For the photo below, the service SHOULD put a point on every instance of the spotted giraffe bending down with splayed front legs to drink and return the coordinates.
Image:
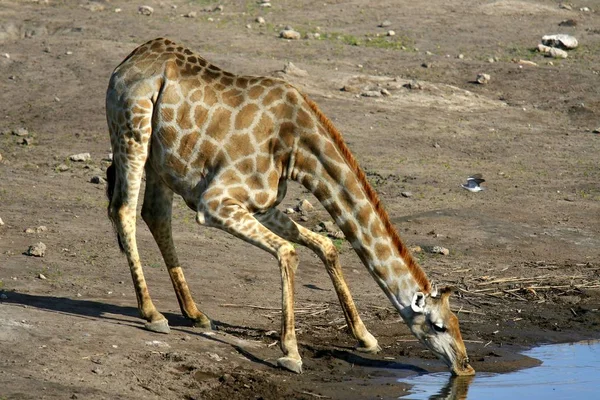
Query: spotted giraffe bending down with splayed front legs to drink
(227, 145)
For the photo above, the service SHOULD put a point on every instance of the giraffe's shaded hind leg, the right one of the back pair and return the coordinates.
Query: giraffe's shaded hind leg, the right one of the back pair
(156, 212)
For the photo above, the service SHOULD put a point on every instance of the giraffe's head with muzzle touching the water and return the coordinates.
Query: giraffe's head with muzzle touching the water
(436, 326)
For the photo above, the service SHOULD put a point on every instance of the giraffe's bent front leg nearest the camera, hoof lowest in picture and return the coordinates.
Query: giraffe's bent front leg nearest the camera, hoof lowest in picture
(232, 217)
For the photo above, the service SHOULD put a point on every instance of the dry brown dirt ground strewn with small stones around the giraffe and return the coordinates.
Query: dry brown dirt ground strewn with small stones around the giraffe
(524, 253)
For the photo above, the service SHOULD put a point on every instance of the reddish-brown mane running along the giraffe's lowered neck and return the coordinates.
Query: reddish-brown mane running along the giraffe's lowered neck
(416, 271)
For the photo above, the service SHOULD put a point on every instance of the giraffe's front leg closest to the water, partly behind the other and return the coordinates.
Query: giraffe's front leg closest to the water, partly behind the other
(281, 224)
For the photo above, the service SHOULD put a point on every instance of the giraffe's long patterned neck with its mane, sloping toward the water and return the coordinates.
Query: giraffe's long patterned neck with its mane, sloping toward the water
(329, 170)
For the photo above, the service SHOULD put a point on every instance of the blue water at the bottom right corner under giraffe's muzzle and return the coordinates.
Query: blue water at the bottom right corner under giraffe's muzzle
(568, 371)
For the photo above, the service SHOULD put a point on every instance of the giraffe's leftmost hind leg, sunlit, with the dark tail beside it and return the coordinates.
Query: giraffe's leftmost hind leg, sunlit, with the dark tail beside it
(130, 153)
